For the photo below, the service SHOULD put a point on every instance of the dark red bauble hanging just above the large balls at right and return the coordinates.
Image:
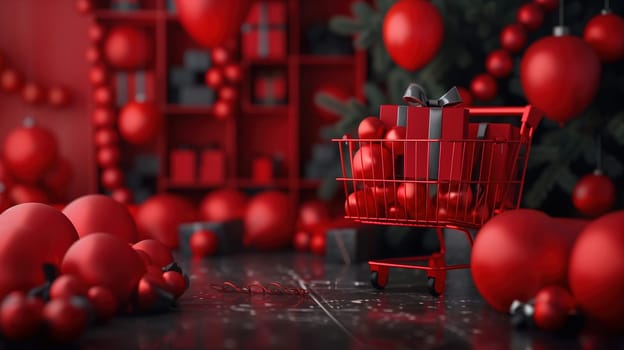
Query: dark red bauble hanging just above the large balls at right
(594, 195)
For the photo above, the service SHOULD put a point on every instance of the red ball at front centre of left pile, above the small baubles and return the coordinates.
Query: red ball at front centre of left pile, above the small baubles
(102, 259)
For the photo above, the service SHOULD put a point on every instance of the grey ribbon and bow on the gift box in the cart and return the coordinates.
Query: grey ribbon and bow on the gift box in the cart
(415, 96)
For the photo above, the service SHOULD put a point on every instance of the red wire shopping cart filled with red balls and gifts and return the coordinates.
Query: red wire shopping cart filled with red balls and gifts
(492, 165)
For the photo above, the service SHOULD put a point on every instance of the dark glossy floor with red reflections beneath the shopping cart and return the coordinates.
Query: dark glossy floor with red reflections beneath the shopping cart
(342, 311)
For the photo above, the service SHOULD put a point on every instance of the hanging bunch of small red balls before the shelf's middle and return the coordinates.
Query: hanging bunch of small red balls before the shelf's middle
(224, 77)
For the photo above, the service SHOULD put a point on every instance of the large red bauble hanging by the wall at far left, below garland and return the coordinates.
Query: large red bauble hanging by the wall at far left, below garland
(29, 151)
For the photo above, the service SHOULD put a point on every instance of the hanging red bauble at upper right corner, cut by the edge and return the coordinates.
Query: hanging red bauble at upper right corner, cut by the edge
(605, 33)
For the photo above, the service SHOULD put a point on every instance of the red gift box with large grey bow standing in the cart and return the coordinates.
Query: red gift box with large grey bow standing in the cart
(438, 127)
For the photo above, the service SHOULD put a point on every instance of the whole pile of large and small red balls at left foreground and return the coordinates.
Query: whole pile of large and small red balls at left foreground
(103, 269)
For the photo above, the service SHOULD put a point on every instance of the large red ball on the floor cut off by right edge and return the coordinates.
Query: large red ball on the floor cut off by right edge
(597, 267)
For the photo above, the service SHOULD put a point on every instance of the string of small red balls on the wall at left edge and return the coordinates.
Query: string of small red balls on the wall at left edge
(11, 81)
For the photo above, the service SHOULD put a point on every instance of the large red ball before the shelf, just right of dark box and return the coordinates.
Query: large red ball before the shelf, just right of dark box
(269, 221)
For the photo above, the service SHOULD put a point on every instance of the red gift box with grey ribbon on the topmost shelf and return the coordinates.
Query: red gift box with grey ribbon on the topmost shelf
(264, 31)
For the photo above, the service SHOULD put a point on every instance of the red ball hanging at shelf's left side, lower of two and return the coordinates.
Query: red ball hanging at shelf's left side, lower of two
(139, 122)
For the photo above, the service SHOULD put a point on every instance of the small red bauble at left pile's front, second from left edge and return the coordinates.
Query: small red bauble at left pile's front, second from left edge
(65, 320)
